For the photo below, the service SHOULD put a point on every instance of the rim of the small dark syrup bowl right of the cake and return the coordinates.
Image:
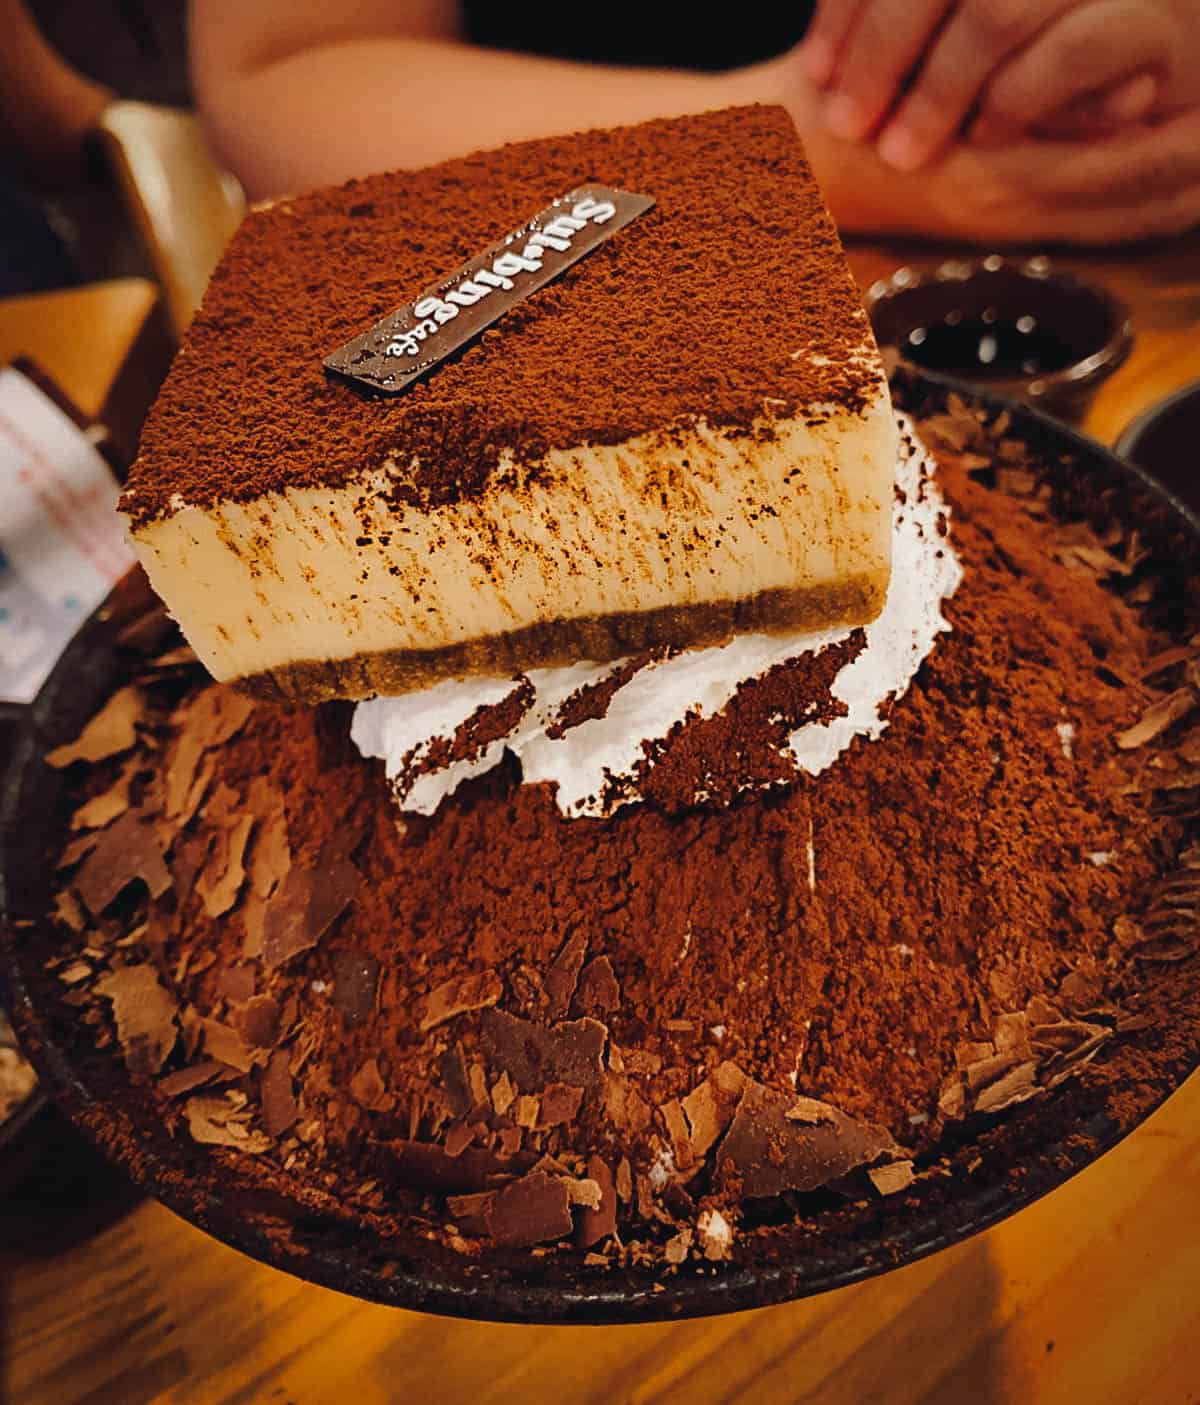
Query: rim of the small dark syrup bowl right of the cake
(1077, 377)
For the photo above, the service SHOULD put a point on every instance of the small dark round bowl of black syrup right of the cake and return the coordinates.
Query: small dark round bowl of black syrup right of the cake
(1014, 327)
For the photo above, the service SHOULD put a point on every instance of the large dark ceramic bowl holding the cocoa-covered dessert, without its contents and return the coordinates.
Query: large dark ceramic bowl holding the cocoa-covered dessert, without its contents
(814, 1244)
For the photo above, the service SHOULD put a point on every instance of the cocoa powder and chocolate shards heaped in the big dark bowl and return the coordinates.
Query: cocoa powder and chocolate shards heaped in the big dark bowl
(949, 922)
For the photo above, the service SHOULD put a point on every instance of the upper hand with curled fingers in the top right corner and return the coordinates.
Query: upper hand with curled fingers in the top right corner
(917, 74)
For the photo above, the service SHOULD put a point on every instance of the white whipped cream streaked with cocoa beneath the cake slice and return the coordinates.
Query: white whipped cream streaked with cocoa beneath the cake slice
(436, 740)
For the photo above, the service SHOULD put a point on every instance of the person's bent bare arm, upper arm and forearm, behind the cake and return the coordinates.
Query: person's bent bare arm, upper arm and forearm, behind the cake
(297, 98)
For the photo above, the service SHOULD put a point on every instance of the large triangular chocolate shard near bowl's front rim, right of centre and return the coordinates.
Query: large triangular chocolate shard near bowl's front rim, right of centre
(771, 1154)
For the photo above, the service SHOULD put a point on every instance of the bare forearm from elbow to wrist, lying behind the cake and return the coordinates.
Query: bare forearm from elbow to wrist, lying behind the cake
(383, 102)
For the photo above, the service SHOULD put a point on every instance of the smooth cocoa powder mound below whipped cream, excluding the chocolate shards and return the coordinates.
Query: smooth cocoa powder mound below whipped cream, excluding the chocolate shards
(953, 849)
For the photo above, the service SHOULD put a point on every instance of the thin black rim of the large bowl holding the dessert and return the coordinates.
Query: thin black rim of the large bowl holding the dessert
(901, 1236)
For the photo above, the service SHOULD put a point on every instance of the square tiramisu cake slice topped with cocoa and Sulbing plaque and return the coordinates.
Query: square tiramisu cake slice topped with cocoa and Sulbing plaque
(684, 435)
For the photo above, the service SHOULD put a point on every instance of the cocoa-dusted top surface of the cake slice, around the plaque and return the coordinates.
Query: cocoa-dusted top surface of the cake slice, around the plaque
(730, 290)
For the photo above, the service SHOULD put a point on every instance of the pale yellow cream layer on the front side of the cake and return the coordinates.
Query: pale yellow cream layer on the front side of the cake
(703, 516)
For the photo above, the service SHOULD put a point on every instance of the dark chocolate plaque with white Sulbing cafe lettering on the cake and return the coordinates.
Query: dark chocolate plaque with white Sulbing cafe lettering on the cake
(414, 339)
